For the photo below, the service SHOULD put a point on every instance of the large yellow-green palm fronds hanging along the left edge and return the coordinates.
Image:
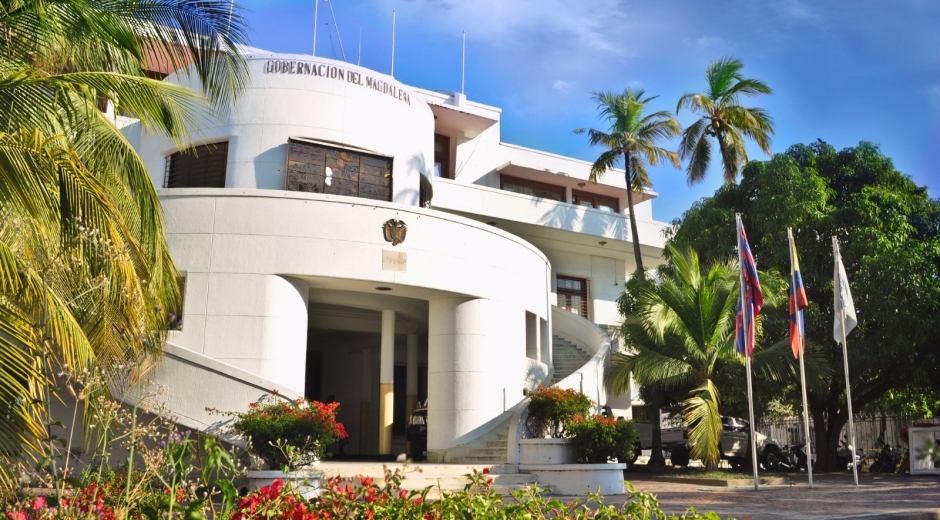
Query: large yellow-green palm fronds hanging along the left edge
(86, 278)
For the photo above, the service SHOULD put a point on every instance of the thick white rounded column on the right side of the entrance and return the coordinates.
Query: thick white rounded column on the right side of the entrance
(476, 359)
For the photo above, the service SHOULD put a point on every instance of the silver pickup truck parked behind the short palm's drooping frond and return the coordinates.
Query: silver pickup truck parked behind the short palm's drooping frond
(735, 444)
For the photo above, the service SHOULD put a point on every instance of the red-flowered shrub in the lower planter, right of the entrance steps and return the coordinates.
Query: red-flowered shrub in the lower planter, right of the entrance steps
(595, 439)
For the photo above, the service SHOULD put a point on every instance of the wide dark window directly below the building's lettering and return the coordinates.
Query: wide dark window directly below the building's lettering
(318, 168)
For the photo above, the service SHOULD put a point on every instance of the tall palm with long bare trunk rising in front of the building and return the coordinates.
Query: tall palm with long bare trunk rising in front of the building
(632, 140)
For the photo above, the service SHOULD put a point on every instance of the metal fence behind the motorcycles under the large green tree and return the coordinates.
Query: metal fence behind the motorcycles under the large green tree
(870, 432)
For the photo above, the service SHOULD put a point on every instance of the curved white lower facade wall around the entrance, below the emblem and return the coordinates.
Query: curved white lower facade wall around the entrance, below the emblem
(253, 258)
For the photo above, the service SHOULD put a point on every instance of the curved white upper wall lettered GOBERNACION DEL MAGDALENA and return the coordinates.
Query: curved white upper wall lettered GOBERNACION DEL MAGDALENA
(314, 98)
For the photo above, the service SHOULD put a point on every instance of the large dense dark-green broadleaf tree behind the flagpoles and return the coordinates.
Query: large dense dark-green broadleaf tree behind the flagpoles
(889, 231)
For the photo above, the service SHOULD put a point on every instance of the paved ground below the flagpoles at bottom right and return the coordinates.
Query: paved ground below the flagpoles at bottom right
(833, 497)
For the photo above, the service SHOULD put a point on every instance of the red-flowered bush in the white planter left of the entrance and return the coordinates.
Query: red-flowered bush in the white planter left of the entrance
(290, 434)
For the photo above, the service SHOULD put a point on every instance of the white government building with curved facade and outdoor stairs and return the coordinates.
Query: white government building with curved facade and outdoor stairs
(288, 225)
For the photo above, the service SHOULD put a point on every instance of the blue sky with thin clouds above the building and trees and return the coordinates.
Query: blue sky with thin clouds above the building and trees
(842, 71)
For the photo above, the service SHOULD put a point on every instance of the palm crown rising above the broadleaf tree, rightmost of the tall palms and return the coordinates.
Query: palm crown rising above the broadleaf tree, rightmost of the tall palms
(725, 120)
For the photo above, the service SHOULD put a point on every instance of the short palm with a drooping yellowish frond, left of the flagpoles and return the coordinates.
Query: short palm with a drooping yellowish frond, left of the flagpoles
(680, 334)
